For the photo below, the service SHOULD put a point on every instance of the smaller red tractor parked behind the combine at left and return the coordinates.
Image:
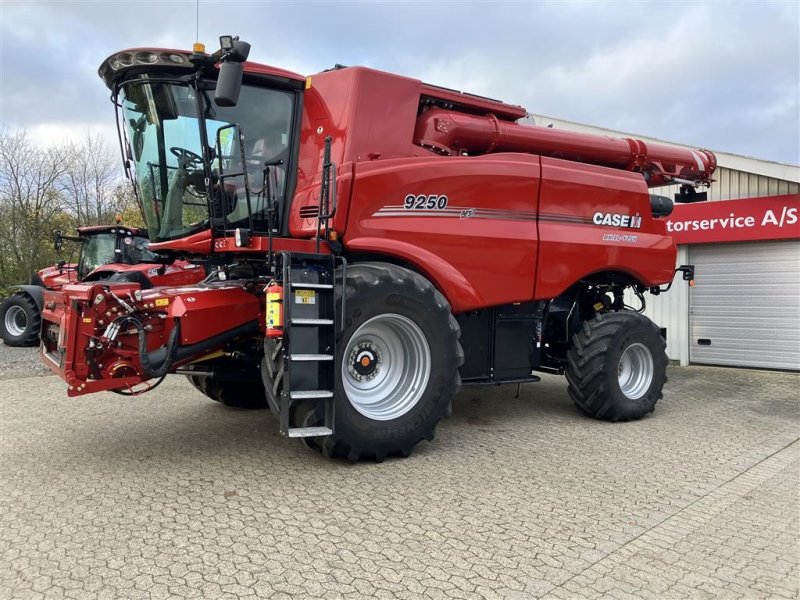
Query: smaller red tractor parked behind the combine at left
(107, 252)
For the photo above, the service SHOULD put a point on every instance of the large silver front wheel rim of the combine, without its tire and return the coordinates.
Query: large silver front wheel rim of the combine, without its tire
(386, 367)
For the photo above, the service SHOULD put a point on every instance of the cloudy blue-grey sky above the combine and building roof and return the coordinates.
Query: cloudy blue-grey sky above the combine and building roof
(720, 75)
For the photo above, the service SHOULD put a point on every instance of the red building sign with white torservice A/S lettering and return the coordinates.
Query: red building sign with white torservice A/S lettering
(748, 219)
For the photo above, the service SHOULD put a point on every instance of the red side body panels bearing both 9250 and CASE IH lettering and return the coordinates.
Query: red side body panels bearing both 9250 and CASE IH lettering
(511, 231)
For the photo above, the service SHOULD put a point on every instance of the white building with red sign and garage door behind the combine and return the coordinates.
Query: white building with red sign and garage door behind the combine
(745, 244)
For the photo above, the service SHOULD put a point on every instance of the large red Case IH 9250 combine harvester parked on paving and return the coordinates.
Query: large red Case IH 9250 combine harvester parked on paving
(377, 242)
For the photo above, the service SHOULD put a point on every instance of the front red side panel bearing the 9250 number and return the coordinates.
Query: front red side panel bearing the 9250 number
(480, 249)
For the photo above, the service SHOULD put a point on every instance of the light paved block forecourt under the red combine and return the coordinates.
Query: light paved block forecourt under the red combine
(171, 495)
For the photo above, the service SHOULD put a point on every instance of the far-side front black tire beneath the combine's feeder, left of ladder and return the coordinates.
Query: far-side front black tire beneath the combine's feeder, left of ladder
(239, 389)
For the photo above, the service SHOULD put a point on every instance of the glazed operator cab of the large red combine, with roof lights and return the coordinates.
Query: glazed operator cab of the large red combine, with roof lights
(203, 158)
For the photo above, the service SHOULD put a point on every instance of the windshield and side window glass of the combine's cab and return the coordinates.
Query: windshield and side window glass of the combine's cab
(164, 132)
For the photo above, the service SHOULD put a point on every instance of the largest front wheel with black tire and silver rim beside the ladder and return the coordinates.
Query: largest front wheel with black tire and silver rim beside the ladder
(401, 318)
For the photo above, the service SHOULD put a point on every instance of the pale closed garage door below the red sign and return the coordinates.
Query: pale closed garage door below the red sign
(745, 308)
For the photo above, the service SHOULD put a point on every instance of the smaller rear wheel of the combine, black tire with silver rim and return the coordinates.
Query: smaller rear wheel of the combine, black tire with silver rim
(617, 366)
